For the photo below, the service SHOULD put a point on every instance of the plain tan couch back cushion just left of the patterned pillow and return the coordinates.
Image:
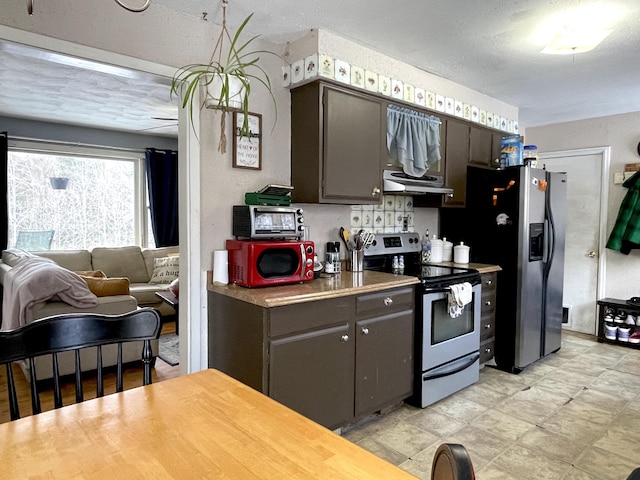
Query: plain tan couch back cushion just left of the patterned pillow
(120, 262)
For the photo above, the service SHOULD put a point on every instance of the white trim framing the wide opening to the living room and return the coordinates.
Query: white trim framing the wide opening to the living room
(193, 298)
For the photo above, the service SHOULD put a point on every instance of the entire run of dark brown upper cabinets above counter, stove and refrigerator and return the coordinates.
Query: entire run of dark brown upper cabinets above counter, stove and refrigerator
(338, 147)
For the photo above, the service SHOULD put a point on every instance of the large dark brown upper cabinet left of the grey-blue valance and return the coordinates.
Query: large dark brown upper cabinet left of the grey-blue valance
(336, 145)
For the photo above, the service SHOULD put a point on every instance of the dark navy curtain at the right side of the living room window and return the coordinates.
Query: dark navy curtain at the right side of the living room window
(162, 183)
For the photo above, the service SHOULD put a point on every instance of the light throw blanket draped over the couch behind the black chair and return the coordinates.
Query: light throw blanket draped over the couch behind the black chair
(38, 279)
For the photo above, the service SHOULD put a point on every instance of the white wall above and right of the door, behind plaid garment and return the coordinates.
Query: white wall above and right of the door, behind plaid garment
(622, 133)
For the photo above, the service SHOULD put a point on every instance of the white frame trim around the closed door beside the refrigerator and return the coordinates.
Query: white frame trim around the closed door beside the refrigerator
(605, 155)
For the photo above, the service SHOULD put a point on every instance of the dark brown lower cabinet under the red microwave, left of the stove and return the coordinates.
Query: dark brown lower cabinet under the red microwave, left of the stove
(332, 360)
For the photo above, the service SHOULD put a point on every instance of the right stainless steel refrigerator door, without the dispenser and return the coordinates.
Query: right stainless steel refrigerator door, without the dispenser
(556, 222)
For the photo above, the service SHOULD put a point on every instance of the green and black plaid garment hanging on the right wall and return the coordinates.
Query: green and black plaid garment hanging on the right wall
(626, 231)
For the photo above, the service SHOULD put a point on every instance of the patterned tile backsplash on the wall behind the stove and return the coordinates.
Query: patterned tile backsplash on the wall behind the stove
(394, 214)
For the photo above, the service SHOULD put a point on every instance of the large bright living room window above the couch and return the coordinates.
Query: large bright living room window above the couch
(88, 196)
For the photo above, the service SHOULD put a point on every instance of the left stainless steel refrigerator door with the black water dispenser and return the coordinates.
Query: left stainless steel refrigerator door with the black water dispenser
(529, 323)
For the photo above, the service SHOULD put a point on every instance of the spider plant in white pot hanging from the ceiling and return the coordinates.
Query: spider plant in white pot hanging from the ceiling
(227, 84)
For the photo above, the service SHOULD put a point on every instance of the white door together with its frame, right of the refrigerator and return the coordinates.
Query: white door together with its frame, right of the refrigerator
(587, 180)
